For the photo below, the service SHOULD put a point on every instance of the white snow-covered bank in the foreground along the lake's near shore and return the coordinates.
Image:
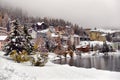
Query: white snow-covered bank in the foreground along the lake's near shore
(9, 70)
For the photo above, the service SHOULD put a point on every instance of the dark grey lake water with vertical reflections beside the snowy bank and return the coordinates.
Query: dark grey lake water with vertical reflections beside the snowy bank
(111, 62)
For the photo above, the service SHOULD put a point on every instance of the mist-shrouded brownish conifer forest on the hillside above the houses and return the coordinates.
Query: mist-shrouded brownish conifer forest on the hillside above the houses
(18, 13)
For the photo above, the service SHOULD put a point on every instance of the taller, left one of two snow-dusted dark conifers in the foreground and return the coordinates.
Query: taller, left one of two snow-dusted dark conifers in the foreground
(14, 39)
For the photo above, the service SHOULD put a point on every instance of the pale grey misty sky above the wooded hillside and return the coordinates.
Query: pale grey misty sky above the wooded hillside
(86, 13)
